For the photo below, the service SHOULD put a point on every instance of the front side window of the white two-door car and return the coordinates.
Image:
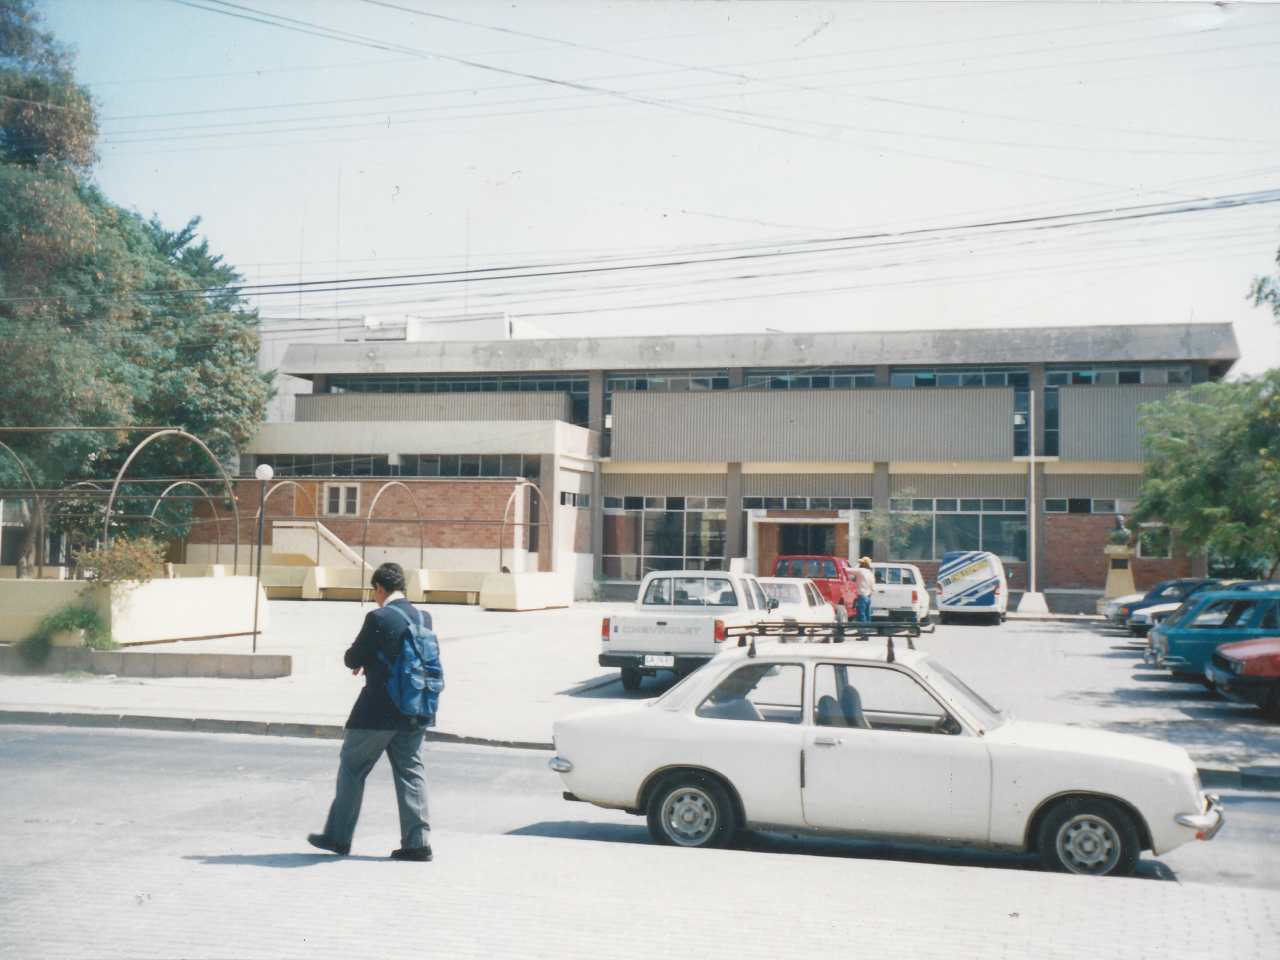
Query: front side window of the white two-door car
(876, 698)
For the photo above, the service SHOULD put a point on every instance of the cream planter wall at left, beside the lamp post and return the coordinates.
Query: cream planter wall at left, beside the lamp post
(185, 609)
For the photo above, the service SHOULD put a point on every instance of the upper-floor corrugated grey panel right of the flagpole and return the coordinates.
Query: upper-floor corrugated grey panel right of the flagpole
(1100, 424)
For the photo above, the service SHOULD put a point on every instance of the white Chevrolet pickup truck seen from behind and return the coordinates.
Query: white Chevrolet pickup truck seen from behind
(680, 623)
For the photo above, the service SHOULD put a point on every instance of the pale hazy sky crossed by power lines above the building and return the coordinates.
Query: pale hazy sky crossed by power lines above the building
(701, 127)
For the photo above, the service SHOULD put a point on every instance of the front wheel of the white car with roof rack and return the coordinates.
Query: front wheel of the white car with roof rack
(1089, 836)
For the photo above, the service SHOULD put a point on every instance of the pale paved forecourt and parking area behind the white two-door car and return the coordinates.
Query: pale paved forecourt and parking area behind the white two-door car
(511, 675)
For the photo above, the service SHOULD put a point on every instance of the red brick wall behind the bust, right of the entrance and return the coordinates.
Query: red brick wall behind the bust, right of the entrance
(1075, 560)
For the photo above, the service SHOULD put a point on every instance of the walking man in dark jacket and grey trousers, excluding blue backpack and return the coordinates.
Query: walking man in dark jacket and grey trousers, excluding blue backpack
(376, 726)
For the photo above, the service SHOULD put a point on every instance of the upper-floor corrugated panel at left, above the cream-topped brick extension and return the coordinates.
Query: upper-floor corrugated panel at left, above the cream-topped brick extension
(348, 408)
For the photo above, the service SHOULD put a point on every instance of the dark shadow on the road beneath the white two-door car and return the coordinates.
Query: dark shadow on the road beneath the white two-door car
(822, 847)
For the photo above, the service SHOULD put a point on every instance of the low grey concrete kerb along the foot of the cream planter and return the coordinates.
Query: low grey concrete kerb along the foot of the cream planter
(140, 664)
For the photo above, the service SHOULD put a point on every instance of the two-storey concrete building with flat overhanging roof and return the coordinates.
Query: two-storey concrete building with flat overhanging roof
(662, 452)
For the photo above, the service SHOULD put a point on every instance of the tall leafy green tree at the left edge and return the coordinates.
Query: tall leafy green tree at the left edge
(106, 318)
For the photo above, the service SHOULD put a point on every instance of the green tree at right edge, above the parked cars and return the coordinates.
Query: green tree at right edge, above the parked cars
(1213, 470)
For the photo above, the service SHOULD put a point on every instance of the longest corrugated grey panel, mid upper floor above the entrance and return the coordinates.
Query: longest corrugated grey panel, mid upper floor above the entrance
(922, 426)
